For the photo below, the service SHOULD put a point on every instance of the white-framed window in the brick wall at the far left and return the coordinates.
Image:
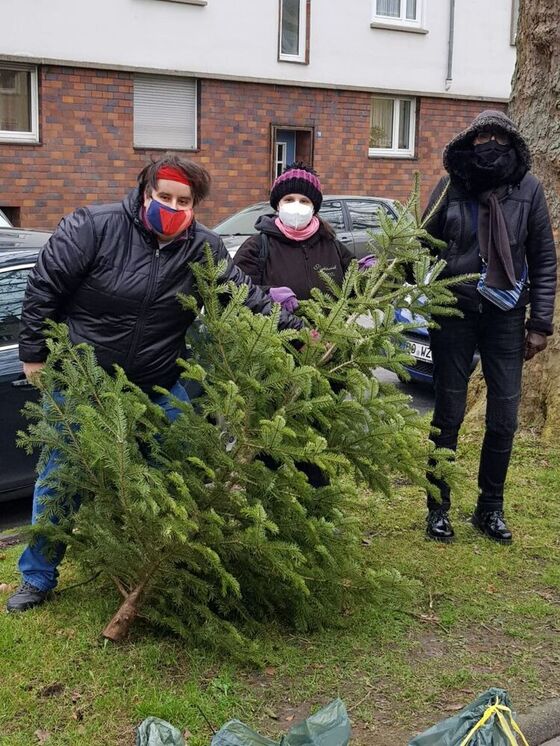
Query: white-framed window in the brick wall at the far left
(19, 120)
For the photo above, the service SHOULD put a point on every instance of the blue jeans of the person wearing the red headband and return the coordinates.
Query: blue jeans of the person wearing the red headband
(35, 568)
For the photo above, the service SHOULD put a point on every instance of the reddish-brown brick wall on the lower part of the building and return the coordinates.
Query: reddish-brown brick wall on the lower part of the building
(86, 153)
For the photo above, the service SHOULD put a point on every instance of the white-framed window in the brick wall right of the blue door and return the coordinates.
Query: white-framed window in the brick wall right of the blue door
(392, 127)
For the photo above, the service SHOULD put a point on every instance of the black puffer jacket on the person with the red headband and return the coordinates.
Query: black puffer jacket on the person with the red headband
(103, 273)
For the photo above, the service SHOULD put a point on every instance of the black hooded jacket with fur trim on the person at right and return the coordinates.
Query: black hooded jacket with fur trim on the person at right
(525, 211)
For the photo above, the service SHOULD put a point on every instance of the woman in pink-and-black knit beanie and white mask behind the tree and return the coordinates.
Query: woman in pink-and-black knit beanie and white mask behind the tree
(288, 252)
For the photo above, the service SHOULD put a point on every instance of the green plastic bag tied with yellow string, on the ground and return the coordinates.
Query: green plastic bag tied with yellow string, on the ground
(488, 721)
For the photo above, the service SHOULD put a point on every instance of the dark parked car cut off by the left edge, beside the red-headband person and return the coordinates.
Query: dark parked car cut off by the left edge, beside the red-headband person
(18, 252)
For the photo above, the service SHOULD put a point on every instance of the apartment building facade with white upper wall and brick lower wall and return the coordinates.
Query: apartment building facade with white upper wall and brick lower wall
(368, 92)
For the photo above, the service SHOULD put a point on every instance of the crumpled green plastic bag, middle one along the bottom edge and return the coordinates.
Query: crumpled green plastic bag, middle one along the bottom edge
(328, 727)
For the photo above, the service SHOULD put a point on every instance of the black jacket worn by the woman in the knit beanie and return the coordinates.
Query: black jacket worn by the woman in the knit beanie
(294, 264)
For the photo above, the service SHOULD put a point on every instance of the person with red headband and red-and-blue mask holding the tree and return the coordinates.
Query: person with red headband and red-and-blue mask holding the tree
(112, 273)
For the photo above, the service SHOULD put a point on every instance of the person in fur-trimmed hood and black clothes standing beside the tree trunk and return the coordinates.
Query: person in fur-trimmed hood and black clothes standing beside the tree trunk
(491, 212)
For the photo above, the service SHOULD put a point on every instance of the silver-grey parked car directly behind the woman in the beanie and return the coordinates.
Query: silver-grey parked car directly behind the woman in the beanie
(352, 217)
